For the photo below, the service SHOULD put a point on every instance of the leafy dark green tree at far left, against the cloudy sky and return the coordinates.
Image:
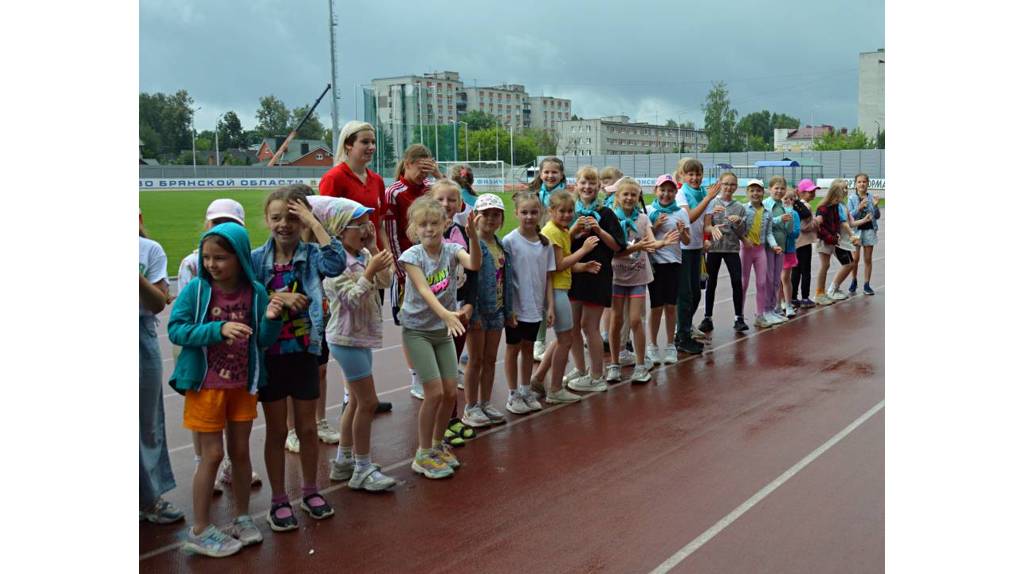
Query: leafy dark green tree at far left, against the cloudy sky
(165, 123)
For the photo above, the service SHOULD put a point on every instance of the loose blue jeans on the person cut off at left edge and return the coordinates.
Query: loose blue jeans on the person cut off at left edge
(155, 476)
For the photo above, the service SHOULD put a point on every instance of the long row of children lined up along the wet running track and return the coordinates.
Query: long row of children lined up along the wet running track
(252, 324)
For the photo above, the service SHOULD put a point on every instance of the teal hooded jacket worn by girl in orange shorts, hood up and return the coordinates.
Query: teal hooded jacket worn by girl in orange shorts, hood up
(191, 329)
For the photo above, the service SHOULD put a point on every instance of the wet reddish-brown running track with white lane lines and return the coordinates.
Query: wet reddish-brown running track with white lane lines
(764, 455)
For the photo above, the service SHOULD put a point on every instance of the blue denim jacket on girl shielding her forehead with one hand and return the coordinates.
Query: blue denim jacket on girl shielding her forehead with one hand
(313, 263)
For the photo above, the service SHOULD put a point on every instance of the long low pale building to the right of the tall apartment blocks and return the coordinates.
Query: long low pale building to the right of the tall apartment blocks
(615, 136)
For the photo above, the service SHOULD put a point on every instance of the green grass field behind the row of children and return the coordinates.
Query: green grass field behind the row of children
(175, 219)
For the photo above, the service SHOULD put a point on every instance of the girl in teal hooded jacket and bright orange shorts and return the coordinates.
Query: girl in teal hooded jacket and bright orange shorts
(224, 320)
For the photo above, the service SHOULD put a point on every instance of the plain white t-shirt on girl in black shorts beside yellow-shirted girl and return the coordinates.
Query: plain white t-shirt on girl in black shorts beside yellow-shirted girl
(531, 263)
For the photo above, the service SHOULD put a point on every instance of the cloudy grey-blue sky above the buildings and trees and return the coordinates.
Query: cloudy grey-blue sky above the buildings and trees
(649, 60)
